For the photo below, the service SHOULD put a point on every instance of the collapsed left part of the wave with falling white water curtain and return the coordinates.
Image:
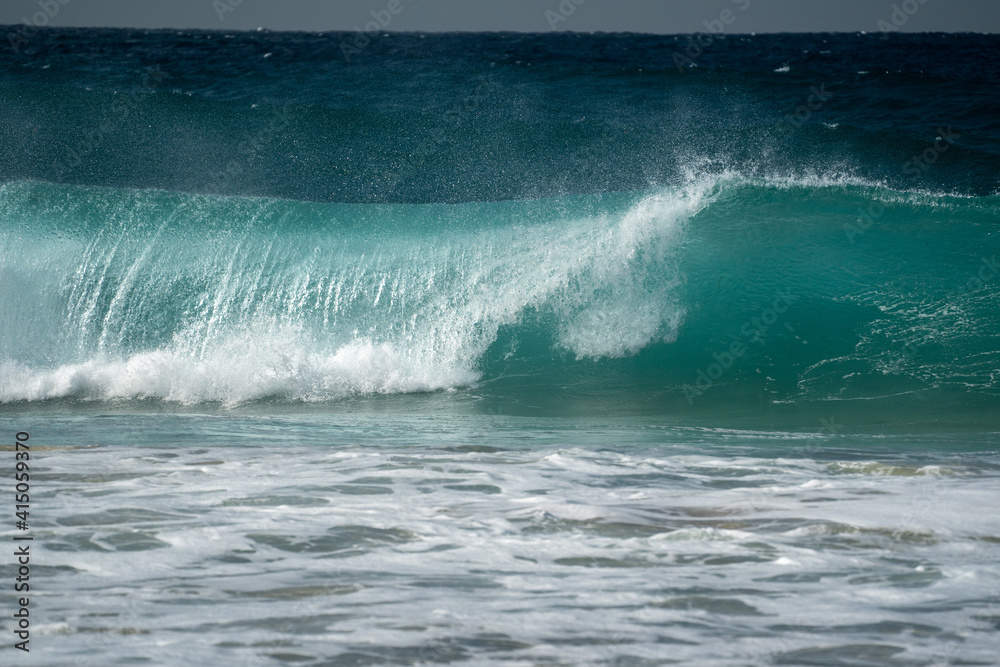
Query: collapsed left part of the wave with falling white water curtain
(123, 294)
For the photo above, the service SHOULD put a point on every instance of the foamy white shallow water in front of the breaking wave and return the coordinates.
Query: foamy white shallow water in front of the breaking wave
(373, 539)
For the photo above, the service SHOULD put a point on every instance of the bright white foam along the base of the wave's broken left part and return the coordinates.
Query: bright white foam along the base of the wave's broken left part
(240, 369)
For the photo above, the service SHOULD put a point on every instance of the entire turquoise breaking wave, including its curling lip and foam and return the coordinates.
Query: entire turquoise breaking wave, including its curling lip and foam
(726, 292)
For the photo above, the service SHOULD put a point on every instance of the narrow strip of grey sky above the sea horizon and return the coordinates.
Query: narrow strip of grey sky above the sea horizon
(651, 16)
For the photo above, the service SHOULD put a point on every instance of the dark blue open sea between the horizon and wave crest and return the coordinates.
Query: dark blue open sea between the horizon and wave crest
(425, 118)
